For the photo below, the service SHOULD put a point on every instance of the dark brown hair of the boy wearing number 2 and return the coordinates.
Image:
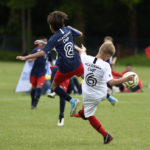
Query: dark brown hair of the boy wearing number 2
(56, 19)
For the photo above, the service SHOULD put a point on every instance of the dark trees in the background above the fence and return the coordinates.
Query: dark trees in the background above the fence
(118, 18)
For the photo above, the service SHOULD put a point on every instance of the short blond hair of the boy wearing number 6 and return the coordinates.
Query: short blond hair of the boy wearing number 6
(107, 48)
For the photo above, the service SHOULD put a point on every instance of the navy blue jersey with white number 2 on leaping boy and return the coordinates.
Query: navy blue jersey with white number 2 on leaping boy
(62, 41)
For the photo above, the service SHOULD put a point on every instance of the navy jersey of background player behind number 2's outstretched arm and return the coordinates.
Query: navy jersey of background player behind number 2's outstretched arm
(39, 66)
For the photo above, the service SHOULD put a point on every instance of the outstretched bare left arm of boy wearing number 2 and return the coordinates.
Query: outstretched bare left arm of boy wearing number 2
(31, 56)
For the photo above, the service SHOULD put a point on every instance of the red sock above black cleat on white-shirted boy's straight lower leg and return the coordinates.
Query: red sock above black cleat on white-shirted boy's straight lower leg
(97, 125)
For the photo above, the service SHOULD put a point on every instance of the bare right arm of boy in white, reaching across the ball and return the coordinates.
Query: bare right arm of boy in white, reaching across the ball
(121, 80)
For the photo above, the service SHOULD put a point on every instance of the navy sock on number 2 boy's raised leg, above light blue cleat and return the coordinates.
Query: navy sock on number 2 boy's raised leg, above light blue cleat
(62, 93)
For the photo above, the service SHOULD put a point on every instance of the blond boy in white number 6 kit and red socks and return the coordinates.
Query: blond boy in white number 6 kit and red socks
(97, 73)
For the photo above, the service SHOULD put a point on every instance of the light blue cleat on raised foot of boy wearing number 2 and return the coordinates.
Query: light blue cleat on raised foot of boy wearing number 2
(74, 104)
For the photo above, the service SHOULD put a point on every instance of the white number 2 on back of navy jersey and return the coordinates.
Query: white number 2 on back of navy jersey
(69, 50)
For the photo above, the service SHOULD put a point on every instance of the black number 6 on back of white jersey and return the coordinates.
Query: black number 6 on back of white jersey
(90, 80)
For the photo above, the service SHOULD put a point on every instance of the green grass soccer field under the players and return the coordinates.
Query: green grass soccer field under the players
(24, 129)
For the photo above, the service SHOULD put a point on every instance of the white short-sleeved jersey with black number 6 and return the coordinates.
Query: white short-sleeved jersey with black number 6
(96, 75)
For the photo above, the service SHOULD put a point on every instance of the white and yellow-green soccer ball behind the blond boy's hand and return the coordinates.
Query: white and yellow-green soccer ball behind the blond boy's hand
(131, 84)
